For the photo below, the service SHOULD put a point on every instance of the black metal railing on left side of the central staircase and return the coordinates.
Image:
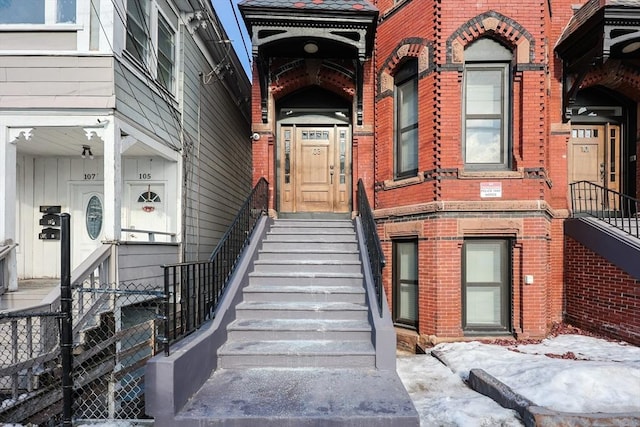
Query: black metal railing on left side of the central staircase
(193, 289)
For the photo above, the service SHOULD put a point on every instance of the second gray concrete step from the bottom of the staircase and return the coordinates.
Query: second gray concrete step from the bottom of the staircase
(299, 329)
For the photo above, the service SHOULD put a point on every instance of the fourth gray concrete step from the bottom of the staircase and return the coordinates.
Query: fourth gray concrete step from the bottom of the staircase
(275, 293)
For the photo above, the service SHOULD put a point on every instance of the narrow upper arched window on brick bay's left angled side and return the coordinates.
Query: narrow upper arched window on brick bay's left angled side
(406, 120)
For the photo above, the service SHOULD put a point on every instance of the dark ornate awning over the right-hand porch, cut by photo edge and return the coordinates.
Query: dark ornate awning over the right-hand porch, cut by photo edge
(599, 31)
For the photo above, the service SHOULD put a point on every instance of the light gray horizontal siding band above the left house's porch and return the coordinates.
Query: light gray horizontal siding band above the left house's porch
(57, 82)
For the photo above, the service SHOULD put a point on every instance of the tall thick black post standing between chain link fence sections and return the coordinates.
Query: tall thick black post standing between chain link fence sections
(66, 336)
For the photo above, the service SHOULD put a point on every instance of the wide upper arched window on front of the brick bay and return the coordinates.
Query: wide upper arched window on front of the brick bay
(486, 106)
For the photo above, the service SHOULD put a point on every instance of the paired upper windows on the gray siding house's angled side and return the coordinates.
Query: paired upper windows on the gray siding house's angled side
(151, 41)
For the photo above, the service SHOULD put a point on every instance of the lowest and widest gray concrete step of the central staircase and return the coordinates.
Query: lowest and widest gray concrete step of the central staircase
(297, 354)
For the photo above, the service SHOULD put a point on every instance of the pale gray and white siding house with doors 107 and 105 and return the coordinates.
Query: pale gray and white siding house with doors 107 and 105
(130, 115)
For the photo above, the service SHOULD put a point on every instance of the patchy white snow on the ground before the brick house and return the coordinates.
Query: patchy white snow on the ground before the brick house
(569, 373)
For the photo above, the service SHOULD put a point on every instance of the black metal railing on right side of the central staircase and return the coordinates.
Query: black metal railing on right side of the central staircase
(372, 241)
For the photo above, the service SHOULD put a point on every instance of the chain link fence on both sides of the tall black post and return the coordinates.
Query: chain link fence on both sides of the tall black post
(114, 330)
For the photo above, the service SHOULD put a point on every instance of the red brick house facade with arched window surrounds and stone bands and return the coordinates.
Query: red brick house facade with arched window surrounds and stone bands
(444, 205)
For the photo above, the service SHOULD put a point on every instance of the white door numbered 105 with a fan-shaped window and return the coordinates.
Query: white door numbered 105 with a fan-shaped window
(146, 211)
